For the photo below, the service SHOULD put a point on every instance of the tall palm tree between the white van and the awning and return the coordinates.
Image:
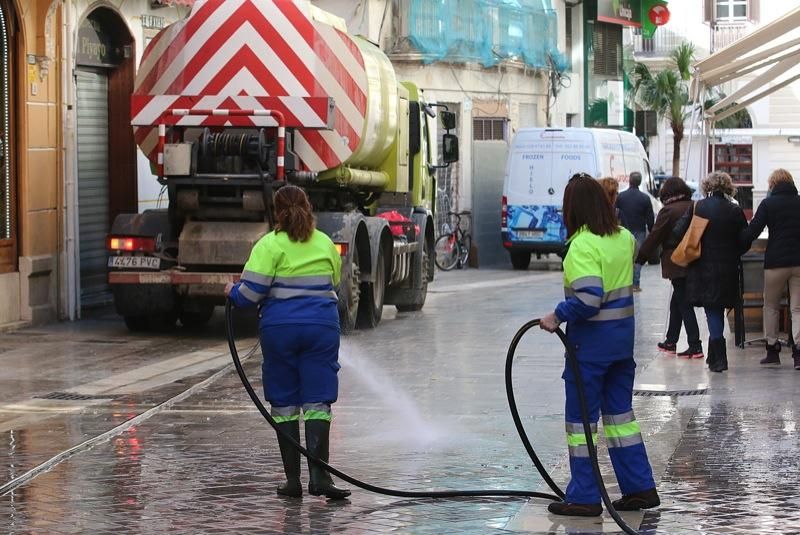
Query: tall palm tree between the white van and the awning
(666, 92)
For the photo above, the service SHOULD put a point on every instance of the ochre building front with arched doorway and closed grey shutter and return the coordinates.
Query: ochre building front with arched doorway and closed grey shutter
(67, 160)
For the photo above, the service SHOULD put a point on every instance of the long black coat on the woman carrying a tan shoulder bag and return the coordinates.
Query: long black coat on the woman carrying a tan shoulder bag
(713, 279)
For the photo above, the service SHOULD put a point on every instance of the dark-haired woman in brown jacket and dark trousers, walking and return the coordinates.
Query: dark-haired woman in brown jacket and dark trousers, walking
(675, 195)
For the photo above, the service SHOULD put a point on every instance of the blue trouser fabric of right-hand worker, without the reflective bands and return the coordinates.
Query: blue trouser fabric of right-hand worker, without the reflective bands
(608, 387)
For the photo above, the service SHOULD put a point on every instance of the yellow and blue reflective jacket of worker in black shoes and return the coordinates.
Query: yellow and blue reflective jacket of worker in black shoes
(598, 288)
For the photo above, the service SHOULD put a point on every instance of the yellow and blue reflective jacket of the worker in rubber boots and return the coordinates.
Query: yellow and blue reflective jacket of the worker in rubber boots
(293, 282)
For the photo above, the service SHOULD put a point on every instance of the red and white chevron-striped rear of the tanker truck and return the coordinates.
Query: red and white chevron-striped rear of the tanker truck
(257, 54)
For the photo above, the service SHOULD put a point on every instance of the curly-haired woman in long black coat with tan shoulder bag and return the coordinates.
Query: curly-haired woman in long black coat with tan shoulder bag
(712, 281)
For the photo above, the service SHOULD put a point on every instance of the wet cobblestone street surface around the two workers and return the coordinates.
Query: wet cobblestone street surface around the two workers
(422, 406)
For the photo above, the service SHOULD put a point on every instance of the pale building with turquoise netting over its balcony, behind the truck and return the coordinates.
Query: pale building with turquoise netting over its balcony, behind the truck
(500, 65)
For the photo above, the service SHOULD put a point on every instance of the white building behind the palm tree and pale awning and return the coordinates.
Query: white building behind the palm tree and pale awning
(764, 138)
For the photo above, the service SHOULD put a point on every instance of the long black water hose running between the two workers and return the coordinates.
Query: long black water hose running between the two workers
(452, 493)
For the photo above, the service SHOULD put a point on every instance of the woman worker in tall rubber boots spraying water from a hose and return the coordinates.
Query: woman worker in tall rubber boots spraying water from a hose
(291, 276)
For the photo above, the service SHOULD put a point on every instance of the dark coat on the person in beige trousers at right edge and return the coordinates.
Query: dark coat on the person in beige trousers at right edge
(781, 213)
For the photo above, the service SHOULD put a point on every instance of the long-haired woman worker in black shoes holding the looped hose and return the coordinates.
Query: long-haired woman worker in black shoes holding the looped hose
(598, 310)
